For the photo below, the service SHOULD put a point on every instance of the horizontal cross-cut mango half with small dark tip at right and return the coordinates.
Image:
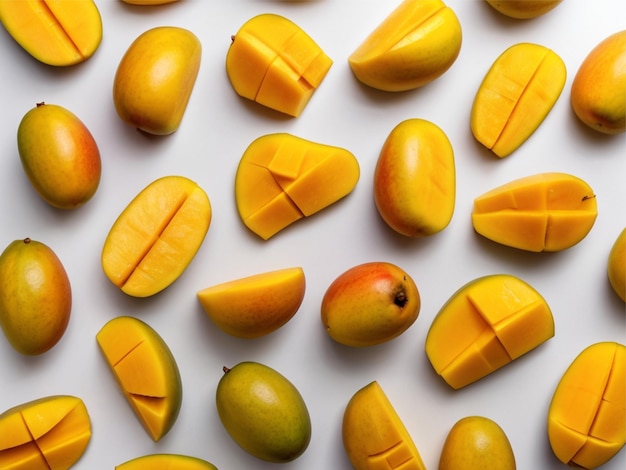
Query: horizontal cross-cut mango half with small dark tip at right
(542, 212)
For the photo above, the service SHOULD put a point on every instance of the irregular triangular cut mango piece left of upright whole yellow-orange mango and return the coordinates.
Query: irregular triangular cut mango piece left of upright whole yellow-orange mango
(282, 178)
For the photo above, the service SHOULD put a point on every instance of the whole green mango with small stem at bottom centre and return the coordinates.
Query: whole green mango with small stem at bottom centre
(263, 412)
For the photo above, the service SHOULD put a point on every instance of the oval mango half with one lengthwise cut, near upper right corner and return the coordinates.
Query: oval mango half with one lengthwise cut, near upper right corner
(515, 96)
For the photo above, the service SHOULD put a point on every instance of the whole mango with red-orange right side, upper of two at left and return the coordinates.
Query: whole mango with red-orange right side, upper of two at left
(59, 155)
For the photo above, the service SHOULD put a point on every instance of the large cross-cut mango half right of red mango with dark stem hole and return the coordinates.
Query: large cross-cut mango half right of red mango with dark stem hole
(485, 325)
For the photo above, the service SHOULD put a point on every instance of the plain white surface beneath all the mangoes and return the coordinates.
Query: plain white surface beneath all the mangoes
(216, 129)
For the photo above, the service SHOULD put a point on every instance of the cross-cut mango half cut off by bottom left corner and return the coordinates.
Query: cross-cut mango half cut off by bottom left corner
(49, 433)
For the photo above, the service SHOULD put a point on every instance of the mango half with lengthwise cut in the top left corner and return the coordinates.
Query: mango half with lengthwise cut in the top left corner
(55, 32)
